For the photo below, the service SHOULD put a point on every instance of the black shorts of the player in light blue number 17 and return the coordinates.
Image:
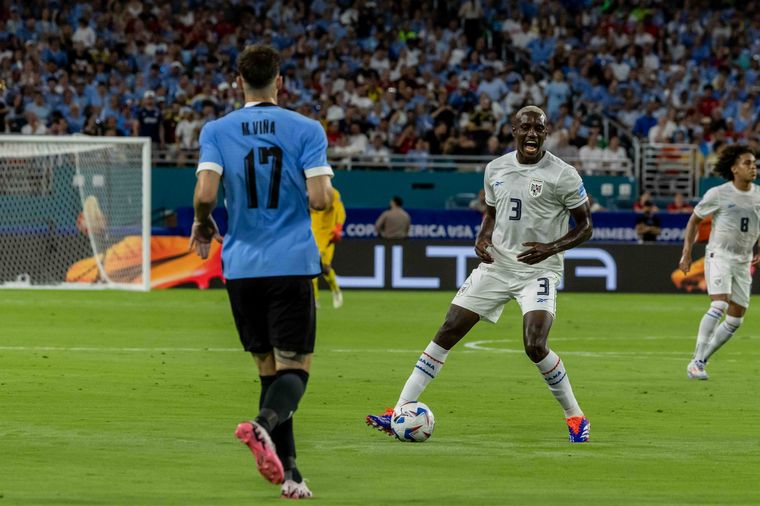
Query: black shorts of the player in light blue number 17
(276, 312)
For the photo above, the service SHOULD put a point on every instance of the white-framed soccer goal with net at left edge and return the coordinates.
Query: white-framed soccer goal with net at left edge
(74, 212)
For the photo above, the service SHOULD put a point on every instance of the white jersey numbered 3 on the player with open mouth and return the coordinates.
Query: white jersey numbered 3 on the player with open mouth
(532, 205)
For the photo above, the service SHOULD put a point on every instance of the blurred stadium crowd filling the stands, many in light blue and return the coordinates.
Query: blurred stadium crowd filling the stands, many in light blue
(411, 78)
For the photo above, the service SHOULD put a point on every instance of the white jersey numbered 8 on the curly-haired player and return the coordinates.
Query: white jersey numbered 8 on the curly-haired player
(736, 219)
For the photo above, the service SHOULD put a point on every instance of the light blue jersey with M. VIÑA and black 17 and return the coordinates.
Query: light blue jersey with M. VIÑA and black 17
(264, 154)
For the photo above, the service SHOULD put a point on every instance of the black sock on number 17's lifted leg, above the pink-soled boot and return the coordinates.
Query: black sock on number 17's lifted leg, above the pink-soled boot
(282, 398)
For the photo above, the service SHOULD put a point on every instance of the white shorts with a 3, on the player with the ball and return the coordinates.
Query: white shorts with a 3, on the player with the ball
(488, 288)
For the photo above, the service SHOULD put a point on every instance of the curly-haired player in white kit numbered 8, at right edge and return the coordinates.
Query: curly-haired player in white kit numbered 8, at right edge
(735, 208)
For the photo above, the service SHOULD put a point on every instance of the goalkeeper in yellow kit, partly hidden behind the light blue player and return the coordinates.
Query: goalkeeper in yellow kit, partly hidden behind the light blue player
(327, 226)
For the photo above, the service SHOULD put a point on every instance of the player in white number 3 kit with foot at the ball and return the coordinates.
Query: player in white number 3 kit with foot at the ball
(530, 194)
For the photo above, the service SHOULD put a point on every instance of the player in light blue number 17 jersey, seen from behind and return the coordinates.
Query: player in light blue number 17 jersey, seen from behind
(273, 165)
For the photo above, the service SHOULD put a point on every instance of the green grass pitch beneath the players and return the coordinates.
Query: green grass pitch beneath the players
(125, 398)
